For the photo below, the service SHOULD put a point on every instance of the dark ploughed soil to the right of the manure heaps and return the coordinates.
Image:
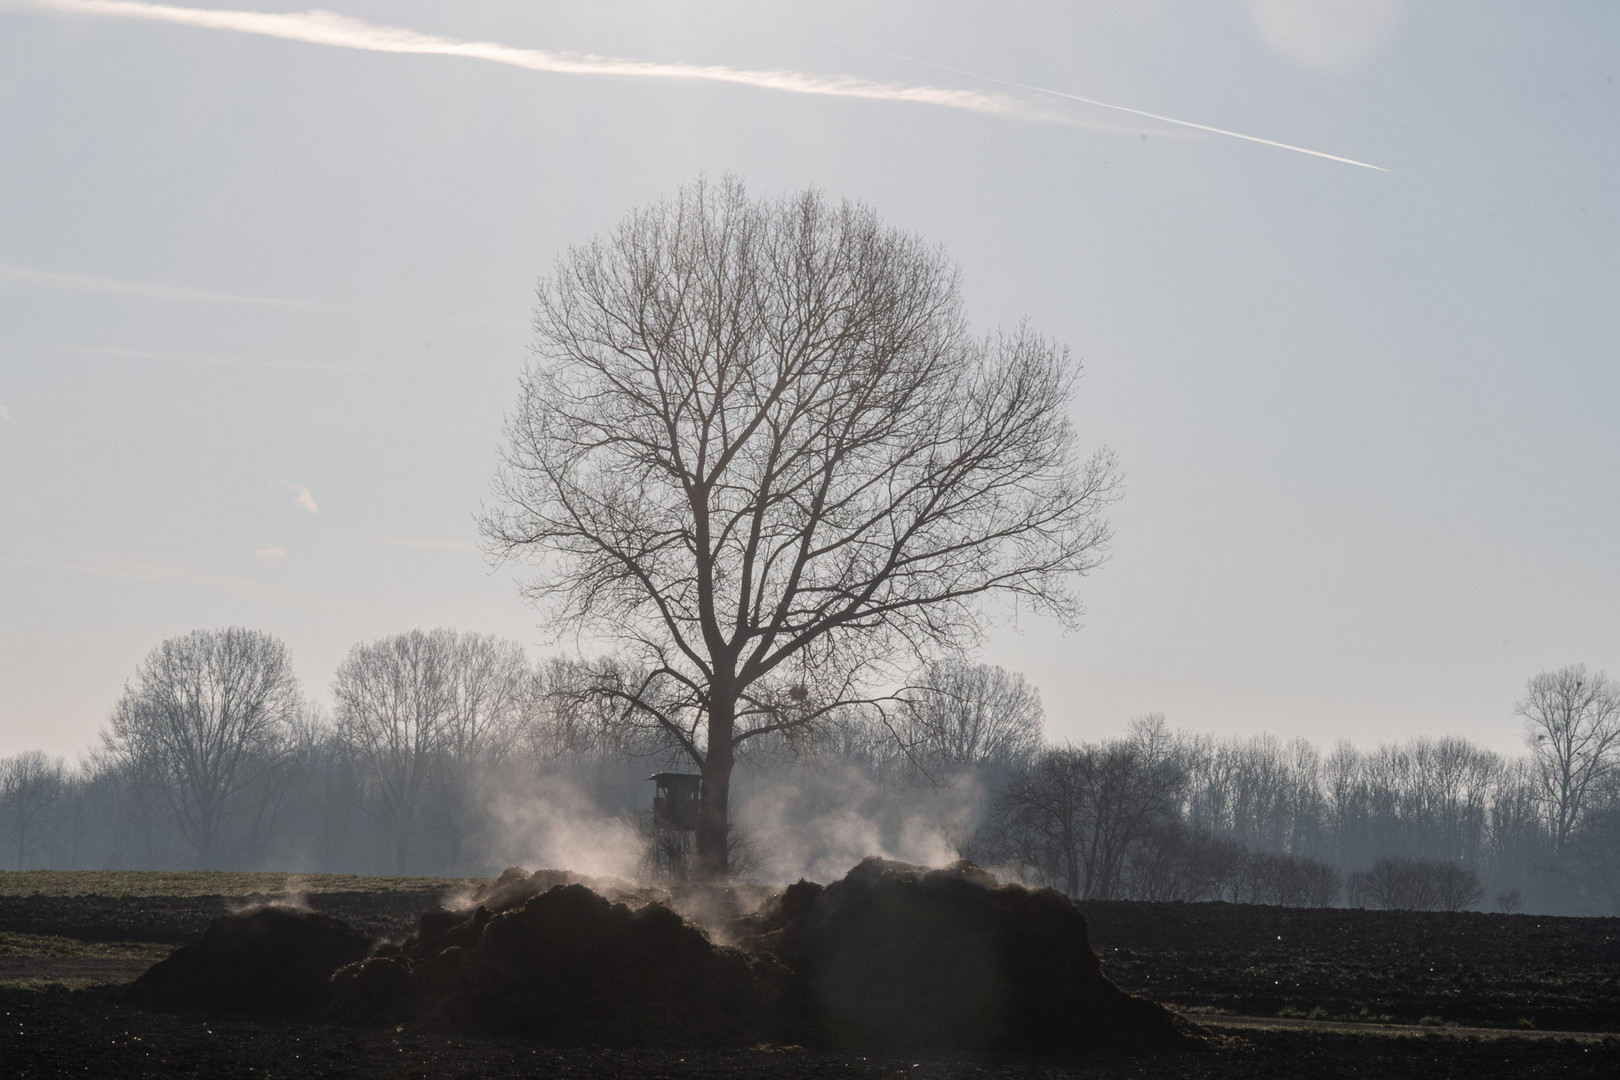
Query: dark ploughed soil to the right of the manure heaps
(1451, 967)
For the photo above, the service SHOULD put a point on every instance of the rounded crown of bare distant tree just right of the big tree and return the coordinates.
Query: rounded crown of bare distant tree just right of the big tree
(973, 715)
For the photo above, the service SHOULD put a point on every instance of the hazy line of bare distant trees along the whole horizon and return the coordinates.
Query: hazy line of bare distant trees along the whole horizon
(443, 749)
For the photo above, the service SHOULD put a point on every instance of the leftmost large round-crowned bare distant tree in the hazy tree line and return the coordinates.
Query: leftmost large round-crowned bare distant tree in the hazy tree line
(205, 718)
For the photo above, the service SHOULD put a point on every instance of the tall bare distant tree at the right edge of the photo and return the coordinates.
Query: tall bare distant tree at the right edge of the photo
(1572, 725)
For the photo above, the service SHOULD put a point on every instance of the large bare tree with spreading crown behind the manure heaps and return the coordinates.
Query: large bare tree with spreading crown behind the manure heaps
(761, 449)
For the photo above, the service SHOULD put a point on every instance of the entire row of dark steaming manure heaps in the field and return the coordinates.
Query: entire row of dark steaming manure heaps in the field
(890, 958)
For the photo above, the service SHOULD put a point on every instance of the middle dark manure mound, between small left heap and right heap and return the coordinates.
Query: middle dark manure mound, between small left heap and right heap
(566, 964)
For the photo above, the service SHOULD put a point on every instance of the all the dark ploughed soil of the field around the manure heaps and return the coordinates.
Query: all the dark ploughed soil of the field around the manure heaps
(1488, 969)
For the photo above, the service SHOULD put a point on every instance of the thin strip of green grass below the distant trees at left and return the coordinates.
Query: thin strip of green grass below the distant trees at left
(198, 883)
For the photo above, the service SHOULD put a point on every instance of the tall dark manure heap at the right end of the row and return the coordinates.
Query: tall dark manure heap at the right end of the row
(900, 958)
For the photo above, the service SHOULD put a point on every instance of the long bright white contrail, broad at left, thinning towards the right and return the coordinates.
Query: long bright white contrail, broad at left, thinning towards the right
(341, 32)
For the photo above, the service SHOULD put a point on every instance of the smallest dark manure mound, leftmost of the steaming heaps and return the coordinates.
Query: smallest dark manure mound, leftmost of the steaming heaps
(266, 961)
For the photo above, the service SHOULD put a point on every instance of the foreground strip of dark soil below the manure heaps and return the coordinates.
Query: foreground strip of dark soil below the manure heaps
(90, 1034)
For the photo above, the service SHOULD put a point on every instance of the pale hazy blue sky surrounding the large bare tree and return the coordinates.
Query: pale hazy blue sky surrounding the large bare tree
(1368, 419)
